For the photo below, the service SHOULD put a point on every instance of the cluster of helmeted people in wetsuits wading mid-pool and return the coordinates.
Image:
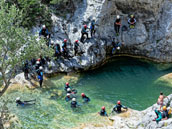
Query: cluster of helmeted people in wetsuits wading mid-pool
(71, 96)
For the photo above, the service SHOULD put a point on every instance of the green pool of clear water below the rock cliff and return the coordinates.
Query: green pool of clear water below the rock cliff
(130, 80)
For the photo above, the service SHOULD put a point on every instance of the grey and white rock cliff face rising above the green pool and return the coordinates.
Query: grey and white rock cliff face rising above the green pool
(151, 37)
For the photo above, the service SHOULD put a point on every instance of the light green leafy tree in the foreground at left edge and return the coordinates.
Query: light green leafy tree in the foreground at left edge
(16, 44)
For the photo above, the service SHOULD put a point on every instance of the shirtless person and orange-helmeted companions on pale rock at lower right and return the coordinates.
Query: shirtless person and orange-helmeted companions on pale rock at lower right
(162, 113)
